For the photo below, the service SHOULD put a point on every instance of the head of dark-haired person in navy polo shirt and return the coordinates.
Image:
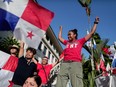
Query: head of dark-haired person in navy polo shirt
(30, 52)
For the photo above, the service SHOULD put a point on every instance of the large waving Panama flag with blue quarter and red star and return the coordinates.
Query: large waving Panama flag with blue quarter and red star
(28, 20)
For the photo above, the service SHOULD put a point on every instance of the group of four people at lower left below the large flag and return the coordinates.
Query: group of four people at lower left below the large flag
(29, 69)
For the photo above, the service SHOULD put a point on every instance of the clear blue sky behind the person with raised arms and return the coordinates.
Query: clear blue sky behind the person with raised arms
(70, 14)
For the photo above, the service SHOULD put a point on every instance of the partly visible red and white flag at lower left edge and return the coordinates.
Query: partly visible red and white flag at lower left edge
(8, 65)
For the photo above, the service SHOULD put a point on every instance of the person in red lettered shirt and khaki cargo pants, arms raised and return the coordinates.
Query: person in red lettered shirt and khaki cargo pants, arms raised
(71, 68)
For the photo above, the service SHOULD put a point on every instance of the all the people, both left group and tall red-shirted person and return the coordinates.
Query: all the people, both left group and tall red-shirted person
(31, 73)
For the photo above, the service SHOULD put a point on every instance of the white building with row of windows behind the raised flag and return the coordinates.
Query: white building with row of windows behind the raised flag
(49, 47)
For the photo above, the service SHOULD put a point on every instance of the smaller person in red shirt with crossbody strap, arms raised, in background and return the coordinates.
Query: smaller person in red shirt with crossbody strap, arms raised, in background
(44, 69)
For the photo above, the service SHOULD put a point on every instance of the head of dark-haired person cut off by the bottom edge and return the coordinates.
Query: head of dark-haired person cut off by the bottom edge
(34, 81)
